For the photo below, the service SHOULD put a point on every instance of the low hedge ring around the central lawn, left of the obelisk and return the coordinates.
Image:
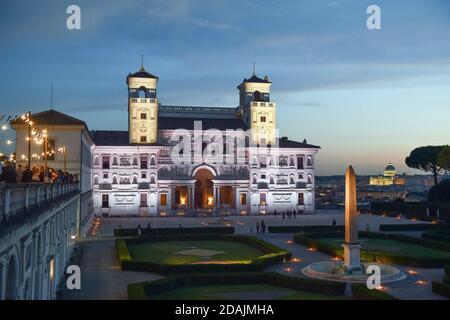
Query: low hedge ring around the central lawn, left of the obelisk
(273, 254)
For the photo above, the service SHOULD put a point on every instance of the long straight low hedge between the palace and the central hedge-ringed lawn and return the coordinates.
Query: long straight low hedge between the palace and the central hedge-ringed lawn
(131, 232)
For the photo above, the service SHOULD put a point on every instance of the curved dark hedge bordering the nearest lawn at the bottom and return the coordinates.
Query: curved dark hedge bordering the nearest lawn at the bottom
(145, 290)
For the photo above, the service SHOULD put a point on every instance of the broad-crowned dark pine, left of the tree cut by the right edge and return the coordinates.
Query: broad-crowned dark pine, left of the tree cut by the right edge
(426, 159)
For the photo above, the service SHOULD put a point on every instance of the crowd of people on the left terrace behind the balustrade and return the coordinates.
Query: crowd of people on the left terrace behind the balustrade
(23, 174)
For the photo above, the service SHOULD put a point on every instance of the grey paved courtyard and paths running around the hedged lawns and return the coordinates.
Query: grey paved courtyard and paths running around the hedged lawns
(103, 279)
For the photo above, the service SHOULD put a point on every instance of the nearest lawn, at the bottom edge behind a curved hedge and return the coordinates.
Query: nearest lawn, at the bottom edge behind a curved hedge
(241, 292)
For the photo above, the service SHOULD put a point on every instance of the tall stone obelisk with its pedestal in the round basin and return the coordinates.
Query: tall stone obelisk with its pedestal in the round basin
(351, 245)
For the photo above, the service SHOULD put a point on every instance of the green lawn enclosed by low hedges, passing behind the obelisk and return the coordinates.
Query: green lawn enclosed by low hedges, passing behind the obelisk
(391, 246)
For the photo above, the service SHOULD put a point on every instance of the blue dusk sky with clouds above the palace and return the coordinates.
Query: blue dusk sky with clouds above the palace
(367, 97)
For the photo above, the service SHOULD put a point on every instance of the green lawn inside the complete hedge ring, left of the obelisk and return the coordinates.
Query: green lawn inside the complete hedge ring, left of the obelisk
(195, 251)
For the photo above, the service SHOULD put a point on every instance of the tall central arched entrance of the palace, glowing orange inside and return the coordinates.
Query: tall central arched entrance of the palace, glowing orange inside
(204, 192)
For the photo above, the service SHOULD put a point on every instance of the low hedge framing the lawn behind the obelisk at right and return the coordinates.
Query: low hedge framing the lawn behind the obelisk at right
(378, 256)
